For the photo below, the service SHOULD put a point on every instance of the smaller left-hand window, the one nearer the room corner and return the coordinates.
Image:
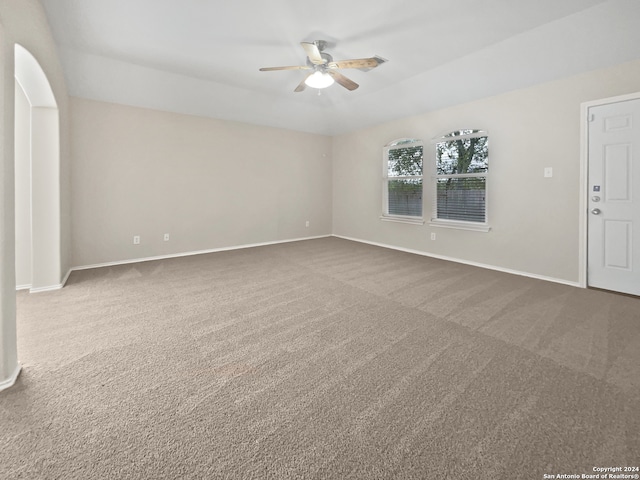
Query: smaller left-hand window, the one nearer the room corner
(402, 181)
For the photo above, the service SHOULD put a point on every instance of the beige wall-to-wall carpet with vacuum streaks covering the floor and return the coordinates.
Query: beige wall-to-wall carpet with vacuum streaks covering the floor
(320, 359)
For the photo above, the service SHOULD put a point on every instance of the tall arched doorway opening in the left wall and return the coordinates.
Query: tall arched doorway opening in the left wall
(37, 172)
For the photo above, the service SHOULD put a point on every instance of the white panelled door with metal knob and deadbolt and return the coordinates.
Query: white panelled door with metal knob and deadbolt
(614, 197)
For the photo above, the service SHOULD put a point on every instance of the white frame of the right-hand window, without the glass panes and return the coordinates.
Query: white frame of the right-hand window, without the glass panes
(459, 224)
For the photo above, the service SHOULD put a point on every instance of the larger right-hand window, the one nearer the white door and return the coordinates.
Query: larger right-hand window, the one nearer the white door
(461, 180)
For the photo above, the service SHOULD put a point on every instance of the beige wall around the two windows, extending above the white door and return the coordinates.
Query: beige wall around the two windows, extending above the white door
(534, 220)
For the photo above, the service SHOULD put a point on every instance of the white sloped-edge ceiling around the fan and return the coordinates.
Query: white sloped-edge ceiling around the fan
(202, 57)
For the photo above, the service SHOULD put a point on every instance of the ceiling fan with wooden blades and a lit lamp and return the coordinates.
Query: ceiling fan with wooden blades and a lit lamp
(325, 69)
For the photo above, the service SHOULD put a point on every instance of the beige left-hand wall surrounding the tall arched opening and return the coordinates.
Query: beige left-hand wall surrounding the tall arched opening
(24, 22)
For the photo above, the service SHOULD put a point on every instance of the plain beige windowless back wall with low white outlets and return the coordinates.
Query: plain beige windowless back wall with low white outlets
(208, 183)
